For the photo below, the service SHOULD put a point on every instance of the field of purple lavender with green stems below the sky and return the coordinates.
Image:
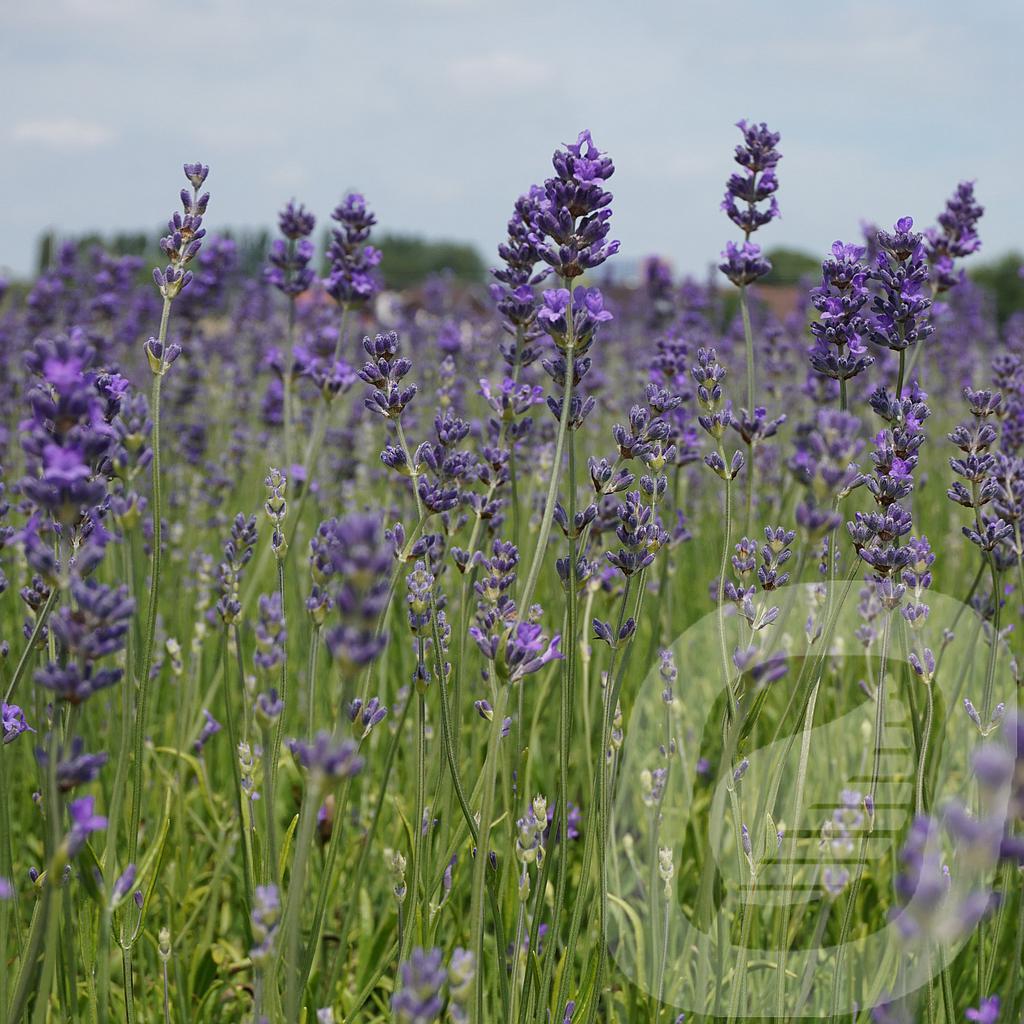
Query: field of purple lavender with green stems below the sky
(572, 648)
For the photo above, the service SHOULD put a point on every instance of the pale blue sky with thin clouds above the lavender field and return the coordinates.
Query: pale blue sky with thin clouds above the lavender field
(443, 112)
